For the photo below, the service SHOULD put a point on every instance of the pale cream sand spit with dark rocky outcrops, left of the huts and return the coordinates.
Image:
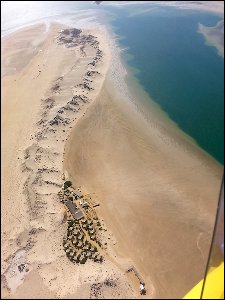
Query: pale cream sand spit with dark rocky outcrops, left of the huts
(41, 103)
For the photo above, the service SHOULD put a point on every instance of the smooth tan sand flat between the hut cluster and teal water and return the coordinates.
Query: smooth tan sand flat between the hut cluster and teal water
(158, 191)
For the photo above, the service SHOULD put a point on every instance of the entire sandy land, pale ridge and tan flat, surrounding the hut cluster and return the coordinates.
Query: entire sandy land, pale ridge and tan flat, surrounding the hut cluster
(66, 110)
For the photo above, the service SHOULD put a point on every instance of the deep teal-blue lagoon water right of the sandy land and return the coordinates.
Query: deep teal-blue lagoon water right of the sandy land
(178, 70)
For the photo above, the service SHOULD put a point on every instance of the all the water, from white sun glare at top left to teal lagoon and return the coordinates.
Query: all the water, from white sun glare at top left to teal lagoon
(175, 67)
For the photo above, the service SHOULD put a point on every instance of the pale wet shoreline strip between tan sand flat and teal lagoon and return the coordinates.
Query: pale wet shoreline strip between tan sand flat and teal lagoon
(124, 79)
